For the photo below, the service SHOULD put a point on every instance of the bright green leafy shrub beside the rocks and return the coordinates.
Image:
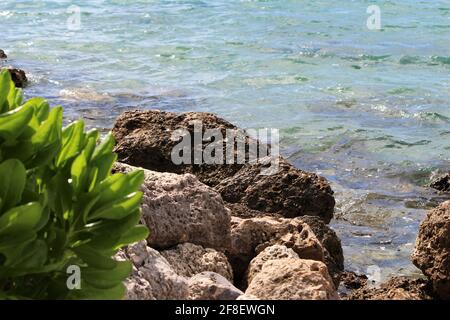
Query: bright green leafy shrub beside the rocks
(59, 204)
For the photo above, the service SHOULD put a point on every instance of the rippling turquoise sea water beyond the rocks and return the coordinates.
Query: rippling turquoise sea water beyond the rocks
(367, 109)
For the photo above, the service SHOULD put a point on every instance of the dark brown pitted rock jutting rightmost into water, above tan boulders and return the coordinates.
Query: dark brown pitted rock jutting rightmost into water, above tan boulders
(290, 192)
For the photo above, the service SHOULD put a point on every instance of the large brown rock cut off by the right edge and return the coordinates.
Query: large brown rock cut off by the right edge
(432, 251)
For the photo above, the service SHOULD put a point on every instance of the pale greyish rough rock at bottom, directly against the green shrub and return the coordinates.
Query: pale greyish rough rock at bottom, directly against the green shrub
(153, 278)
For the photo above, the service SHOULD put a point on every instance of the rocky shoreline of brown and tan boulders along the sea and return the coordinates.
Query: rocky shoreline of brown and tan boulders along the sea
(226, 232)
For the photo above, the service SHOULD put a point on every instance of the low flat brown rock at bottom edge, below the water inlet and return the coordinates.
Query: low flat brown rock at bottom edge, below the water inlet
(399, 288)
